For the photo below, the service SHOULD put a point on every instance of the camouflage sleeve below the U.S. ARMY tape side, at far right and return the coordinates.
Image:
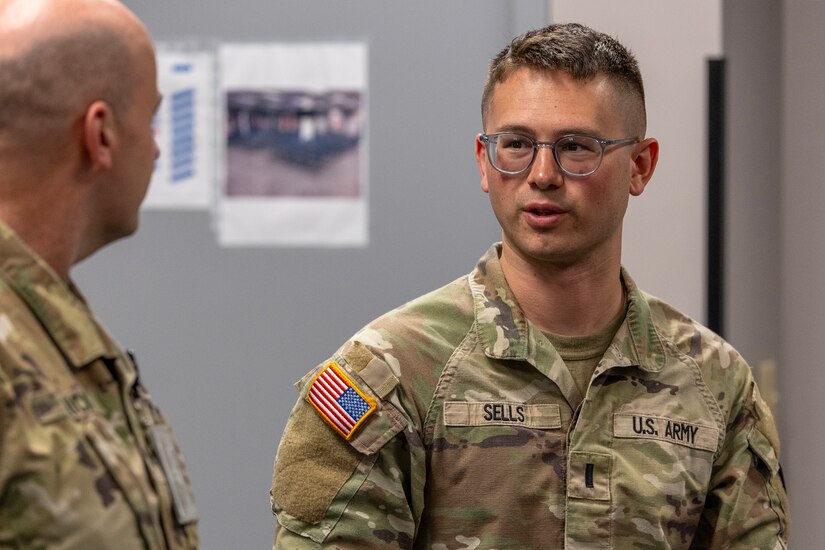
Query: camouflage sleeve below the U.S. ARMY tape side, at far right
(746, 506)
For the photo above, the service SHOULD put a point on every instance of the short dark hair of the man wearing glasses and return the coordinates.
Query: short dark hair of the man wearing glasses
(581, 52)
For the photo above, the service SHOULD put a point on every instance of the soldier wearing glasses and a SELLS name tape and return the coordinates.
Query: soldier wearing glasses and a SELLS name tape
(542, 401)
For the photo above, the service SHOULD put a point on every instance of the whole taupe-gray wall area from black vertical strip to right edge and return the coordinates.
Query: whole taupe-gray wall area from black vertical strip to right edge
(776, 248)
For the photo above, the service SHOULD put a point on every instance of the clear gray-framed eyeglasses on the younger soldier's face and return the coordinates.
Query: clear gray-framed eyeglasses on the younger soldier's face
(576, 155)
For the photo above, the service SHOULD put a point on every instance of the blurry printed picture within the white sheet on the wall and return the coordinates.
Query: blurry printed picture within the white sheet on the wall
(293, 143)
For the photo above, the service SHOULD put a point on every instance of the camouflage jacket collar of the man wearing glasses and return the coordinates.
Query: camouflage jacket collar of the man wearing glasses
(506, 333)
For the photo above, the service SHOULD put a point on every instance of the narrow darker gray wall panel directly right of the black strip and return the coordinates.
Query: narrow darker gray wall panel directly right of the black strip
(753, 50)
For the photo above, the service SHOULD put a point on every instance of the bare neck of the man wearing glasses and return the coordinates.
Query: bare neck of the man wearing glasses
(575, 300)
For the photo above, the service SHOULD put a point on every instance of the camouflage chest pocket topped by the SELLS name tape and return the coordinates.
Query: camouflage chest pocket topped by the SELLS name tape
(476, 447)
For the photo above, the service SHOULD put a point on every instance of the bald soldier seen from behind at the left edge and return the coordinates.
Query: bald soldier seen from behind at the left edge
(86, 459)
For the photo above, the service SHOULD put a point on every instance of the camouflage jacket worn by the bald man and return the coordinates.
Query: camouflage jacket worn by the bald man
(83, 451)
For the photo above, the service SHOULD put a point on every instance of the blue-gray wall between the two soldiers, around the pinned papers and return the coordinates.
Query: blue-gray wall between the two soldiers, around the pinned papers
(222, 334)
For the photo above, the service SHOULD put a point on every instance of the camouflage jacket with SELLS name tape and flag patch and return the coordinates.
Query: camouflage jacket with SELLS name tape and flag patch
(474, 436)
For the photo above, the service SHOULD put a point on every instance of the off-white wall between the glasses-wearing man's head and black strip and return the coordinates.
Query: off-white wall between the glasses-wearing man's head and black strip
(664, 235)
